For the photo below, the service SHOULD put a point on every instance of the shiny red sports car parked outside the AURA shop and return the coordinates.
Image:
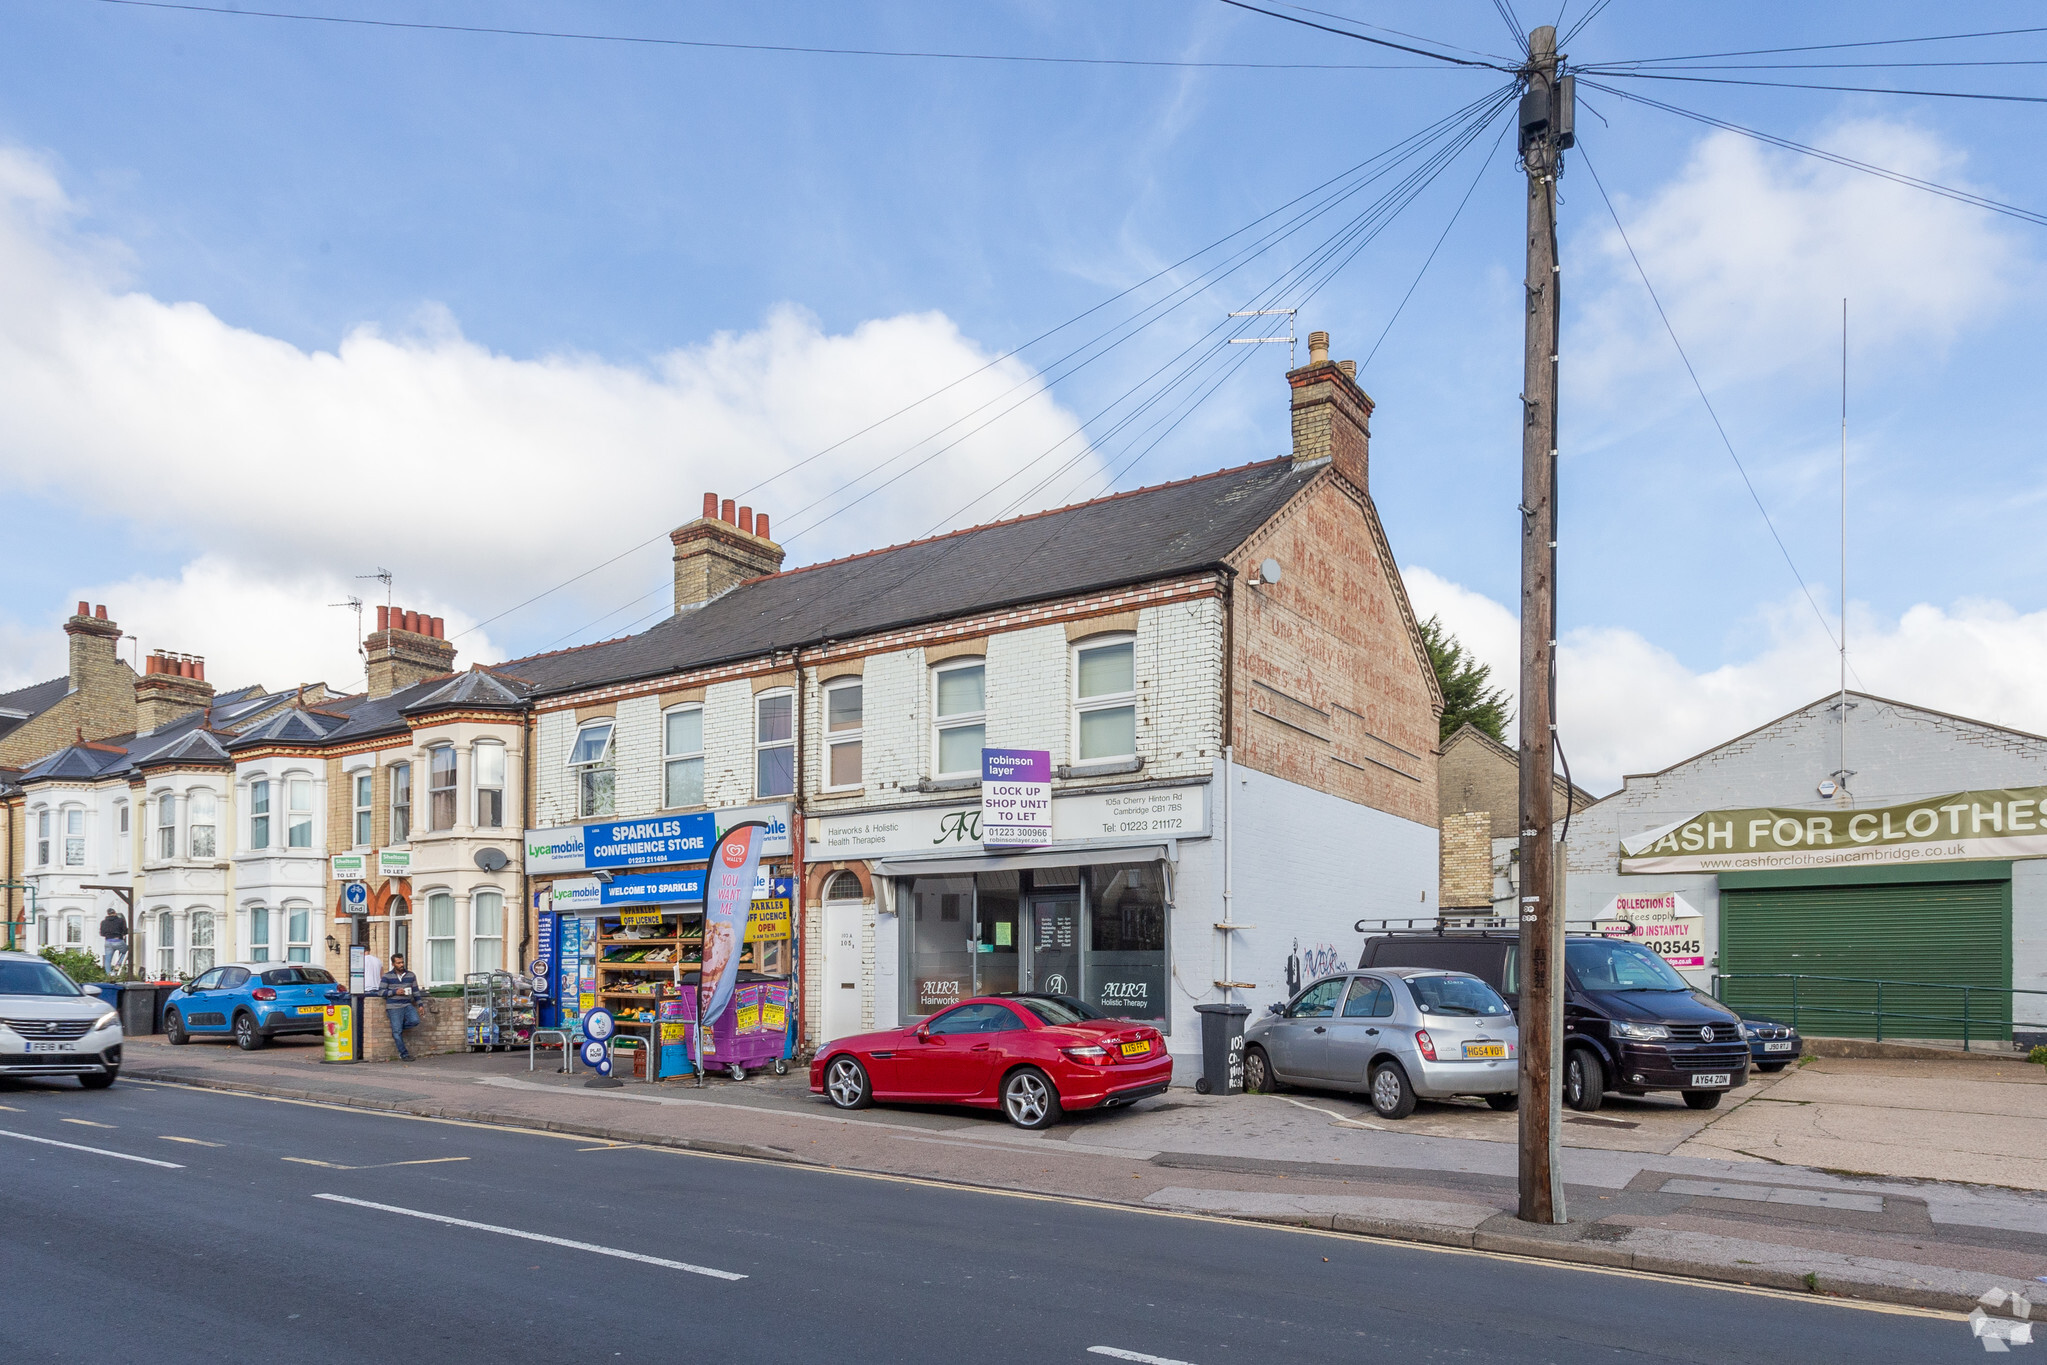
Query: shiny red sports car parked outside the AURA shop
(1029, 1055)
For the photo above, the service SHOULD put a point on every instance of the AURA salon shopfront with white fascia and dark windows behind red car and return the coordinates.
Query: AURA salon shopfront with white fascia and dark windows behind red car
(1096, 914)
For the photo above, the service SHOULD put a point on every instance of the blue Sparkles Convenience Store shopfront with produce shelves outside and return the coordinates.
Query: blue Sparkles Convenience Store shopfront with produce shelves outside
(621, 924)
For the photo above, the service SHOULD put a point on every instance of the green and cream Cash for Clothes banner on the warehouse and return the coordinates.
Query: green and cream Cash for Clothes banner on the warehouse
(1956, 828)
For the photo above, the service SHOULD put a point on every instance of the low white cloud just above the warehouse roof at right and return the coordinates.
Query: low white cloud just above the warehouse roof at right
(1626, 705)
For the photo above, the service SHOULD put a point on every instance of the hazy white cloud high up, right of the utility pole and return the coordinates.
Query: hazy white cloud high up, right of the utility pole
(1753, 251)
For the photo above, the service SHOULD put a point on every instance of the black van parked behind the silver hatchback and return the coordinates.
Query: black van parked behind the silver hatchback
(1630, 1022)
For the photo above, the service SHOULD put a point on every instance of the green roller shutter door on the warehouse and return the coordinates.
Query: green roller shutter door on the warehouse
(1952, 934)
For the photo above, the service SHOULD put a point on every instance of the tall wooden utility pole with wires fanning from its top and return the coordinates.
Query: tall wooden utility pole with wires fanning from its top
(1547, 130)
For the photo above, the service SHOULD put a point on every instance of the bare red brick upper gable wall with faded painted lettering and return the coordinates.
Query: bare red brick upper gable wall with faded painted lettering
(1327, 687)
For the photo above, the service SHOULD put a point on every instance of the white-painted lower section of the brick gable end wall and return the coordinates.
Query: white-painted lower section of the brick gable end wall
(1307, 869)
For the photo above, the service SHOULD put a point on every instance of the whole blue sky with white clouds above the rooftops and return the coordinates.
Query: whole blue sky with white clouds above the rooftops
(290, 304)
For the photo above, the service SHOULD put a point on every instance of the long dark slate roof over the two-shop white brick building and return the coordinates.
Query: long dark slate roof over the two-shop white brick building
(1108, 543)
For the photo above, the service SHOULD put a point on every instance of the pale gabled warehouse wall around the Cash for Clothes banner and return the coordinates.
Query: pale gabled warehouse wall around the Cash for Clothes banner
(1897, 754)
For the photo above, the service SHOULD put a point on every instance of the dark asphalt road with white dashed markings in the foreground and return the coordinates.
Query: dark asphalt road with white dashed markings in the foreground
(300, 1233)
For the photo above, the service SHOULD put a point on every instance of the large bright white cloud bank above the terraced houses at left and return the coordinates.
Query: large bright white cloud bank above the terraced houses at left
(478, 478)
